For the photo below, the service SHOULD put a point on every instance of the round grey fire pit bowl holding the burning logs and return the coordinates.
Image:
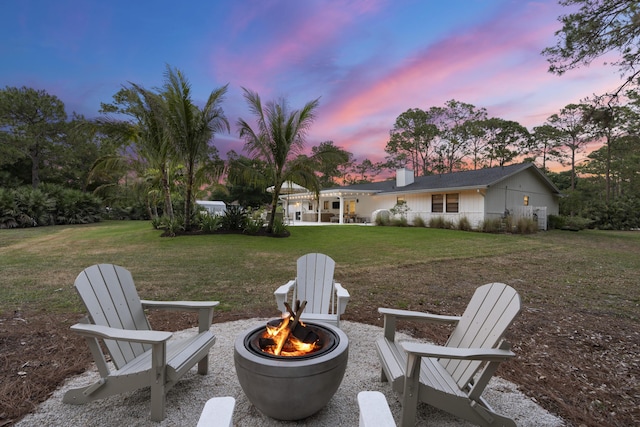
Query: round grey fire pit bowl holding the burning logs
(291, 388)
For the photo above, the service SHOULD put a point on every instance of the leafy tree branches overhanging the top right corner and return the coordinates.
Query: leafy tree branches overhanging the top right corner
(597, 28)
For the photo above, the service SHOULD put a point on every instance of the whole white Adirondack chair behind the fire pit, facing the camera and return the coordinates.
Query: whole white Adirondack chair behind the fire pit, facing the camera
(326, 299)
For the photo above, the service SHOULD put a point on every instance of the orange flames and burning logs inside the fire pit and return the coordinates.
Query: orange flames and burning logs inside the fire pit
(280, 340)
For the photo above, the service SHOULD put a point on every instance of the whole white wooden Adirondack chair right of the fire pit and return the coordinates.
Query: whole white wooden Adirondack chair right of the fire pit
(452, 377)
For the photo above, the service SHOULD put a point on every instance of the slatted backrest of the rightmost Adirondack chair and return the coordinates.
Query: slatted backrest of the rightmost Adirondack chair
(483, 324)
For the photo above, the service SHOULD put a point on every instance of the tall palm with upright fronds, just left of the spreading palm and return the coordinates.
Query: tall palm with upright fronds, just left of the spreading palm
(190, 129)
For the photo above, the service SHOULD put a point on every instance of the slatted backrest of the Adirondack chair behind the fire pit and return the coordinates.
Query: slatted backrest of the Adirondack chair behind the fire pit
(314, 283)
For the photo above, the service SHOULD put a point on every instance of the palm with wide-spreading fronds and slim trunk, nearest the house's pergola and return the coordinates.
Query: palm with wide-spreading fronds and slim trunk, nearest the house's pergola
(278, 140)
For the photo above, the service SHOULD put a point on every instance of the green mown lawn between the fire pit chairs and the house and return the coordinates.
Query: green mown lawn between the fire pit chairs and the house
(40, 264)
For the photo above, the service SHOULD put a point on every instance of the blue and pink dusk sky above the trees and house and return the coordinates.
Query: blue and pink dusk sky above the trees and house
(367, 60)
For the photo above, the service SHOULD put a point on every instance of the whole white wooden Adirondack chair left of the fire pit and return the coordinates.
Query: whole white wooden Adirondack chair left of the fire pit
(142, 357)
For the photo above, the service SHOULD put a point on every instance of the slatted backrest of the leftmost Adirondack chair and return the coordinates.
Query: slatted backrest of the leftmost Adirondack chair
(111, 299)
